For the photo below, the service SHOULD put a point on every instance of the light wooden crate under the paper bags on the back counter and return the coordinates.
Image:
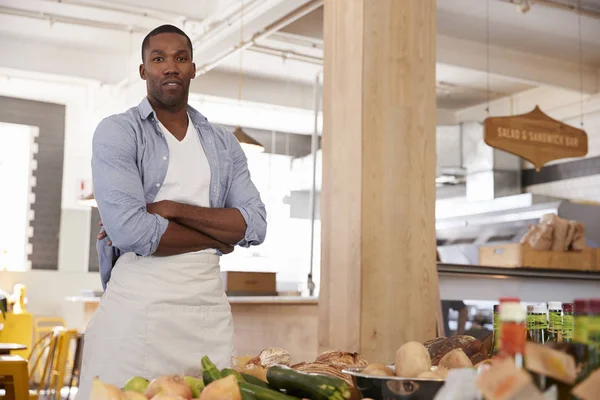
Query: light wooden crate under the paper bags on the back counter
(516, 255)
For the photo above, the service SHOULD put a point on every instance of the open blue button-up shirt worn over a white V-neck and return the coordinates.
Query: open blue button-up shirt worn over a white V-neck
(130, 157)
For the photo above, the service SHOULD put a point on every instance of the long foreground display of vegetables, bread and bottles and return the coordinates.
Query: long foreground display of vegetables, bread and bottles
(511, 357)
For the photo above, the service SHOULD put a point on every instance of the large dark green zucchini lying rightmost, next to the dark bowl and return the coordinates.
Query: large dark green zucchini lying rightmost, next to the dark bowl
(313, 386)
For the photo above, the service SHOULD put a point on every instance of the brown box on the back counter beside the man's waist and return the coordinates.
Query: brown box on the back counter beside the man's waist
(239, 283)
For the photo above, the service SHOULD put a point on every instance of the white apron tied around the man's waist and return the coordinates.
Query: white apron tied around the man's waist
(158, 316)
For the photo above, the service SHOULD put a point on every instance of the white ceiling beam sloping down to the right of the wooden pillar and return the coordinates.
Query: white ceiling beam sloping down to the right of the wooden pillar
(522, 66)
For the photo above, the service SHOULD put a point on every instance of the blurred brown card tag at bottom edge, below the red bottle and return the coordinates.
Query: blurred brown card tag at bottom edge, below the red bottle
(504, 381)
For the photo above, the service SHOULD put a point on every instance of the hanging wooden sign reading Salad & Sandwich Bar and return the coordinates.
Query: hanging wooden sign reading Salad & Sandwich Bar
(536, 137)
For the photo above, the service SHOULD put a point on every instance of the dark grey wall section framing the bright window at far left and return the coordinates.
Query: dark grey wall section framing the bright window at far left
(47, 192)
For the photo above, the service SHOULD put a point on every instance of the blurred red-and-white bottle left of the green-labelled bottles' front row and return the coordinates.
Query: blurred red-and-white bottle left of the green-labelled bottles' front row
(512, 320)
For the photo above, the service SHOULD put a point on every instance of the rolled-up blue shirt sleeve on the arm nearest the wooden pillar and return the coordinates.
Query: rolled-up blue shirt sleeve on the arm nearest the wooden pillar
(244, 196)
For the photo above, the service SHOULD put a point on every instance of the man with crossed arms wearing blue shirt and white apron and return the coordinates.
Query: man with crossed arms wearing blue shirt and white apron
(174, 193)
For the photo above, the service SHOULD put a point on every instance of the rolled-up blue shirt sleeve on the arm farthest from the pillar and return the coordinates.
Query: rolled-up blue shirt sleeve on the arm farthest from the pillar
(119, 191)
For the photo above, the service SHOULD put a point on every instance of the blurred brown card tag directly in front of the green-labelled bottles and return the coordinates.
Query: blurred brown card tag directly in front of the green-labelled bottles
(549, 362)
